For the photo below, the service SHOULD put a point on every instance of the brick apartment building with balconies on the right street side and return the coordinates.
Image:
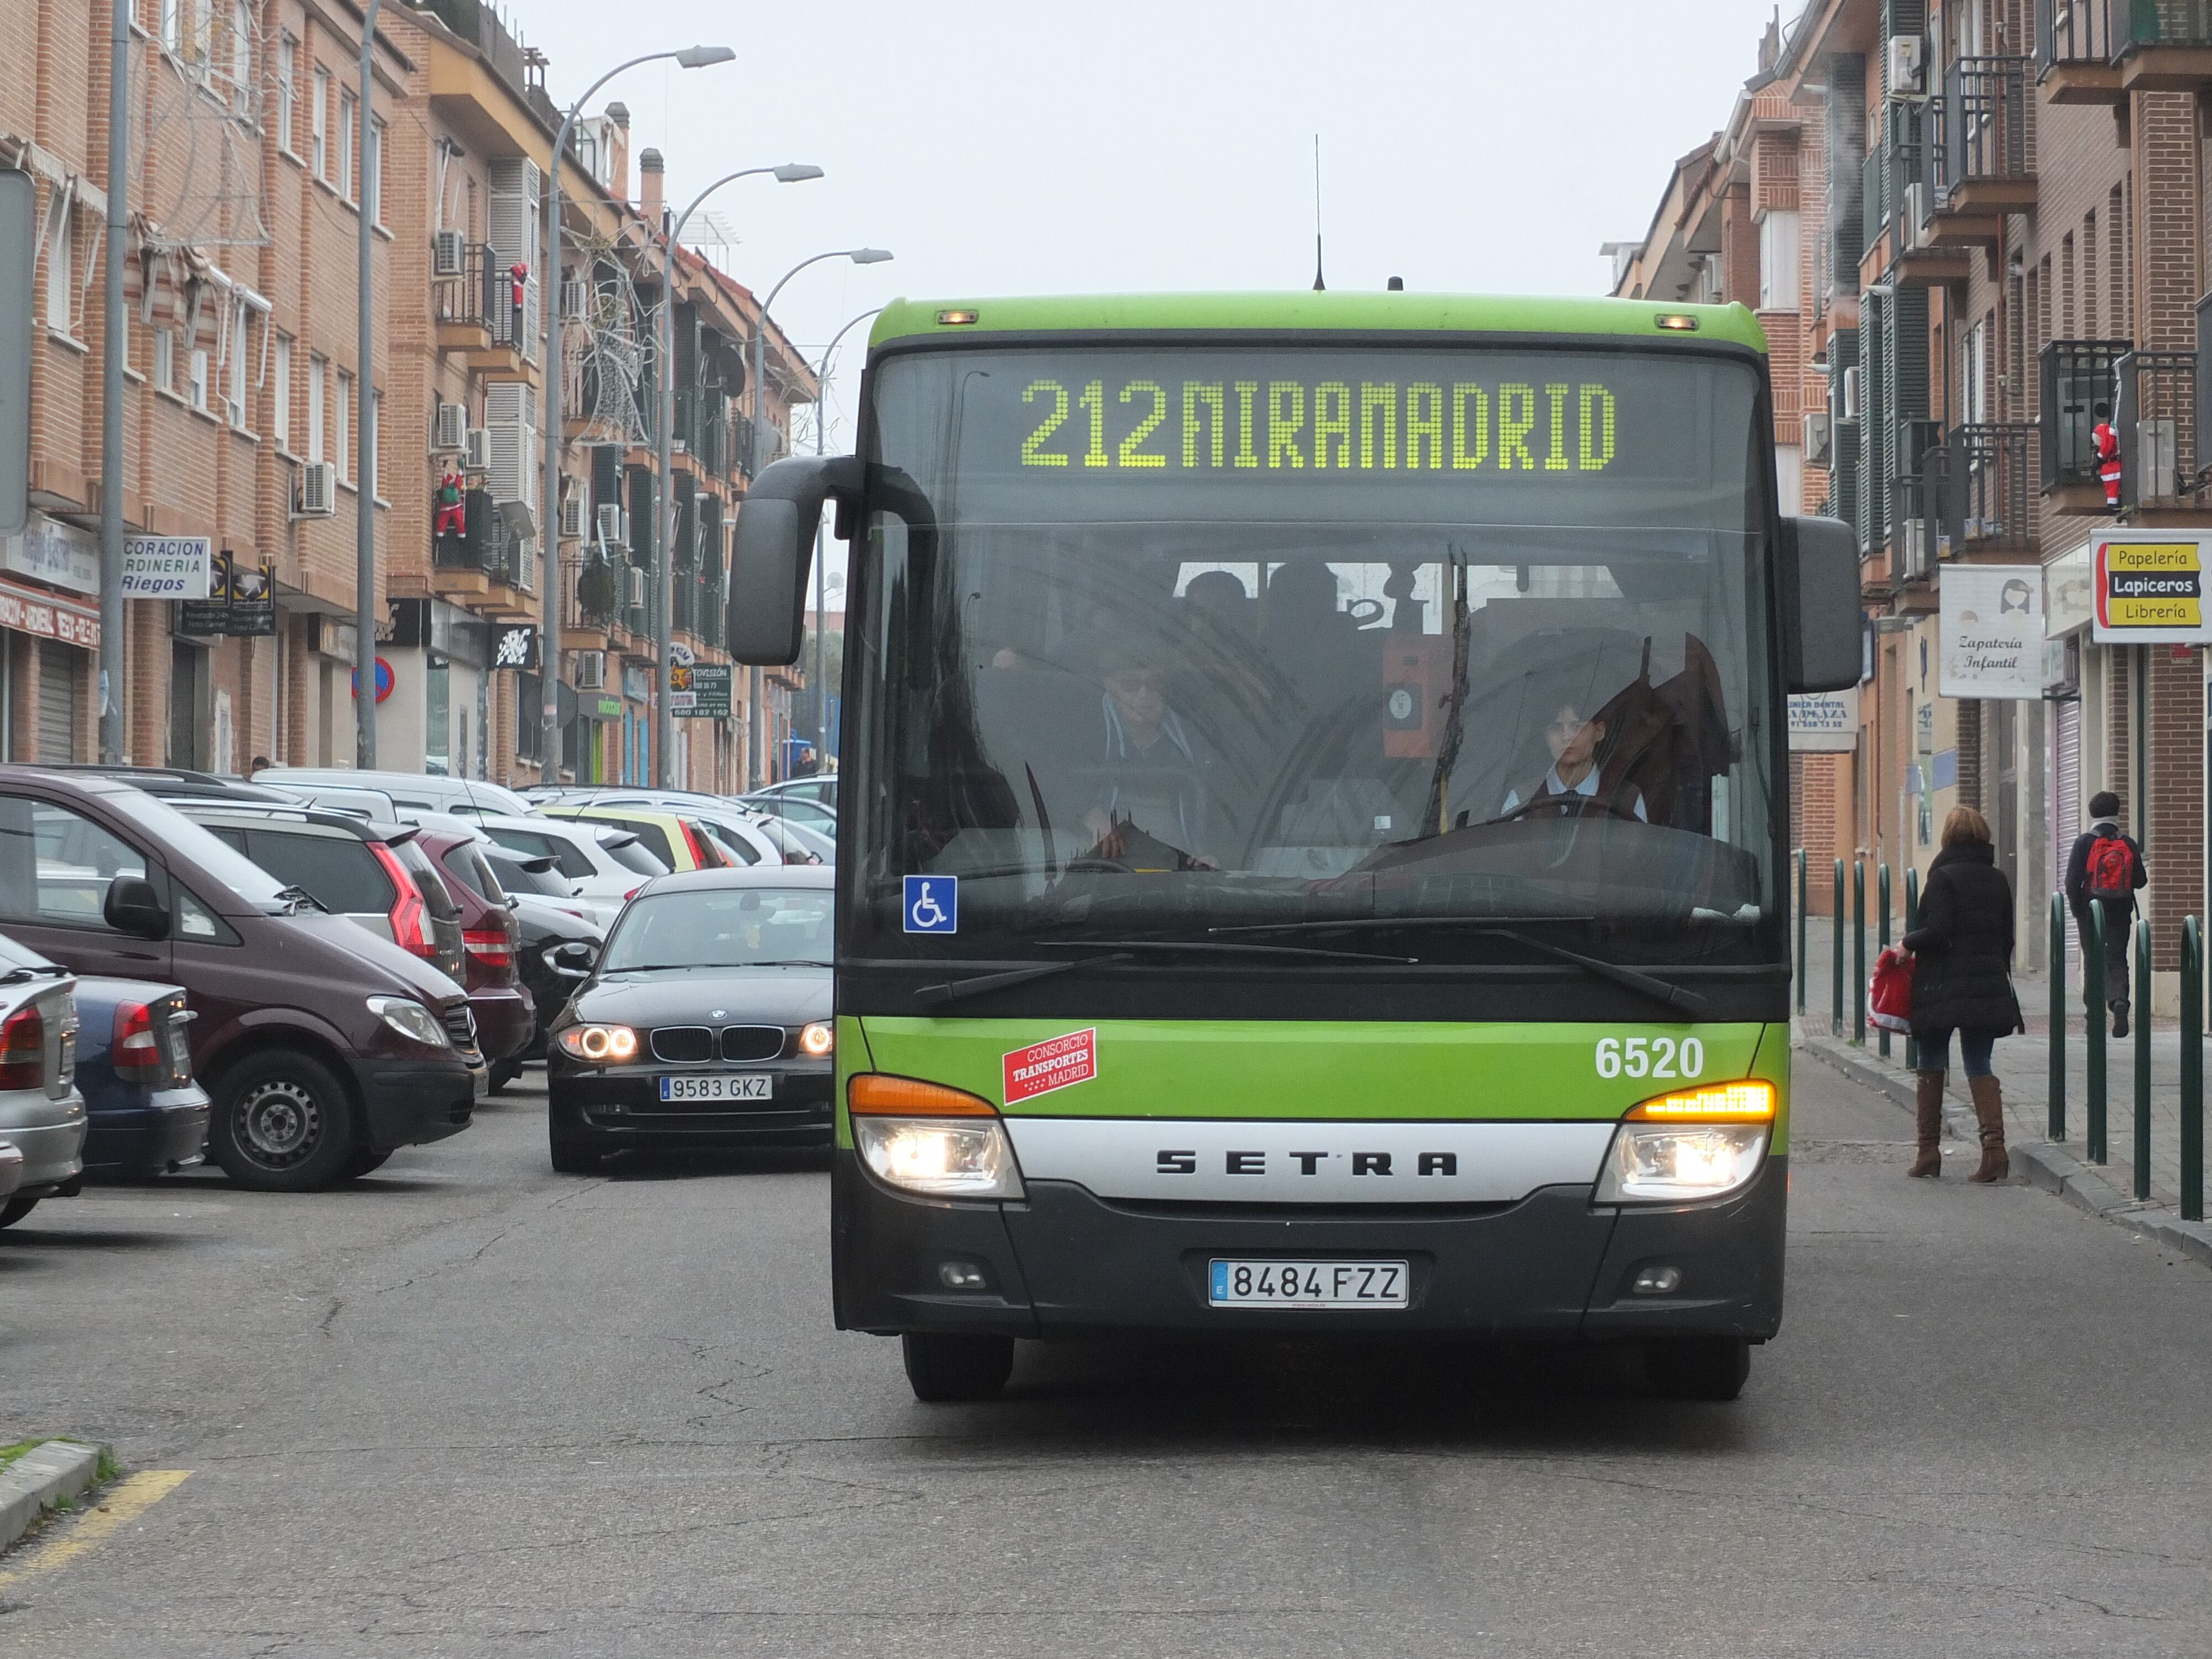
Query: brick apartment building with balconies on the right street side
(1974, 231)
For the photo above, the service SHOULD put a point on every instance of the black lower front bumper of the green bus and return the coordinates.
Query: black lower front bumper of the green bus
(1547, 1269)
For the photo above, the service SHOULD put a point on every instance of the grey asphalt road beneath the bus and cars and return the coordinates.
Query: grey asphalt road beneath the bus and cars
(472, 1408)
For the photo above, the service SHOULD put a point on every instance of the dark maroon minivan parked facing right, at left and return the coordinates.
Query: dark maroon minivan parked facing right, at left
(322, 1045)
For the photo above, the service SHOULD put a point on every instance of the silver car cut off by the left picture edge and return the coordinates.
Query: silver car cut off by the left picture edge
(41, 1109)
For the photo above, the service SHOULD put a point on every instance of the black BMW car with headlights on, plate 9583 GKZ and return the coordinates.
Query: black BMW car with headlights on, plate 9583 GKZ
(707, 1021)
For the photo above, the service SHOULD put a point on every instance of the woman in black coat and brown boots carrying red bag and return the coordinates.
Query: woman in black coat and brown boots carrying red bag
(1963, 981)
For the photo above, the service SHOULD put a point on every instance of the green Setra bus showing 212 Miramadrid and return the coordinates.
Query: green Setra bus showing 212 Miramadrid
(1313, 822)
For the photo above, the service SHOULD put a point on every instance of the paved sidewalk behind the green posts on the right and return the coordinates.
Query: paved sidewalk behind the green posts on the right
(2023, 1067)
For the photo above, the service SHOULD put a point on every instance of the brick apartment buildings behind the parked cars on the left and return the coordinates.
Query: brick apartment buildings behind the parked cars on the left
(242, 382)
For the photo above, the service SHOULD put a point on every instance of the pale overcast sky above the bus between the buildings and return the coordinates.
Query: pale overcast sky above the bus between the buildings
(1010, 147)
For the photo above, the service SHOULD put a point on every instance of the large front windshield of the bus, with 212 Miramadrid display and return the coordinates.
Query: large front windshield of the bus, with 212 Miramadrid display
(1176, 640)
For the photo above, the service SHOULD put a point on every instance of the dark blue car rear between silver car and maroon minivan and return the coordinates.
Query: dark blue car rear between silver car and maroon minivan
(136, 1074)
